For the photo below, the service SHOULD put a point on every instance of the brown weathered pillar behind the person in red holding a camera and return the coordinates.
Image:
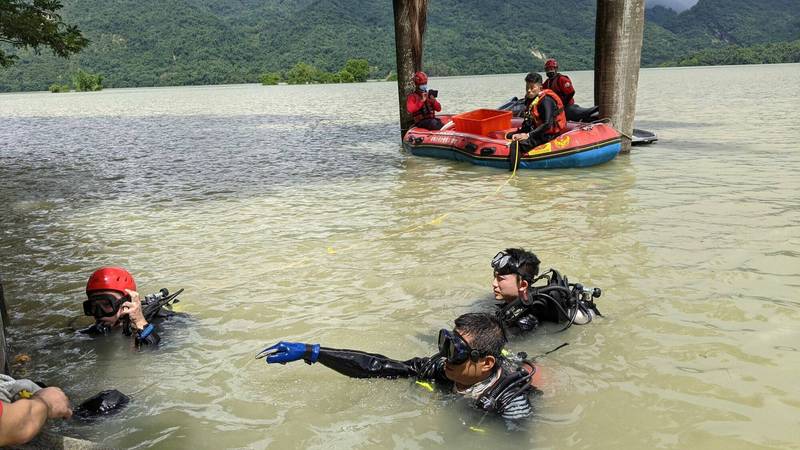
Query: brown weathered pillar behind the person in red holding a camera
(410, 17)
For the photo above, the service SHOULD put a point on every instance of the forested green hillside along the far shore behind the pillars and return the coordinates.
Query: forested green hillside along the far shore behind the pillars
(179, 42)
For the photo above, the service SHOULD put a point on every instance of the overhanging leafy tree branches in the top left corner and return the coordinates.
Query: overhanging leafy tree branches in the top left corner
(33, 24)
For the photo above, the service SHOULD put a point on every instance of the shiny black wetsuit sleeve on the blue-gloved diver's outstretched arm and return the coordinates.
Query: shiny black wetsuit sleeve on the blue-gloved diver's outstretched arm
(358, 364)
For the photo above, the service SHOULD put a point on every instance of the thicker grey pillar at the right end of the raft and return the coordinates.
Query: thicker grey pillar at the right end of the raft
(617, 57)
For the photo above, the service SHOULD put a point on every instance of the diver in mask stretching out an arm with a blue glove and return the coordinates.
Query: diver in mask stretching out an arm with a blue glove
(469, 362)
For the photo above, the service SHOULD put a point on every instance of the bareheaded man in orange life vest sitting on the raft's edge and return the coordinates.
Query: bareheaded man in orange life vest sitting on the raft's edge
(544, 119)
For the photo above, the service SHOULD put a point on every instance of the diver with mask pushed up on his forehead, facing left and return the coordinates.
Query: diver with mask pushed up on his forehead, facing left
(524, 306)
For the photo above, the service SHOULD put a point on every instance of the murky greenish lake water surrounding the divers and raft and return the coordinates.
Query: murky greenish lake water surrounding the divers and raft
(292, 212)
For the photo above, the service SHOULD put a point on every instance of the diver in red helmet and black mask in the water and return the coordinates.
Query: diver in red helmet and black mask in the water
(114, 303)
